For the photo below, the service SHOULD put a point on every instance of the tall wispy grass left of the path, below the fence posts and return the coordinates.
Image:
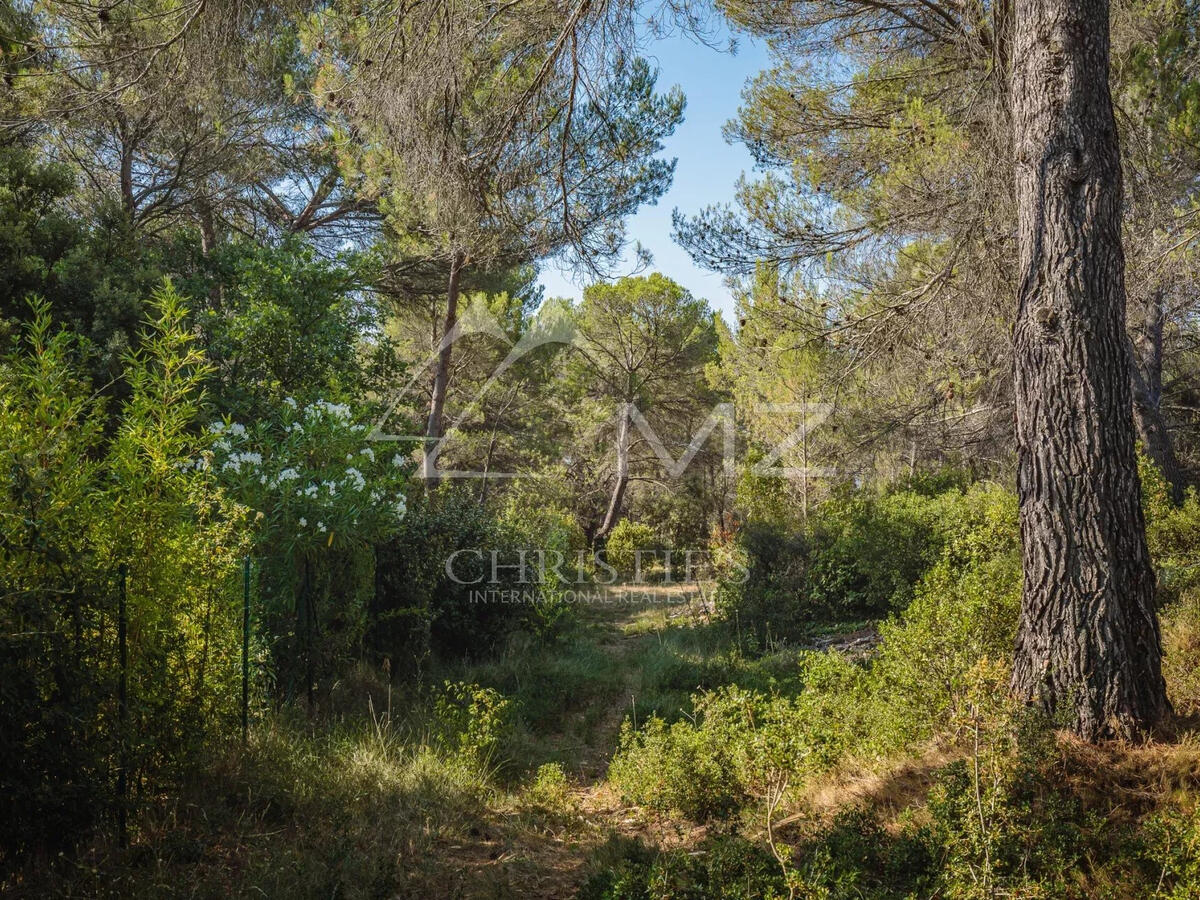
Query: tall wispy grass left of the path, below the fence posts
(349, 812)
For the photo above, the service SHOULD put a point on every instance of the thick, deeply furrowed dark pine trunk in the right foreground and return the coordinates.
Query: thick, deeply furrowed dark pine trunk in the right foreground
(1088, 645)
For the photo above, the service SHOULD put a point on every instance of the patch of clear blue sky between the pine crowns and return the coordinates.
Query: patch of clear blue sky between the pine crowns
(707, 167)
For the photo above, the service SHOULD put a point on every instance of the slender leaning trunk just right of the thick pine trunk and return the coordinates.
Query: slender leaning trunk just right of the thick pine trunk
(1148, 393)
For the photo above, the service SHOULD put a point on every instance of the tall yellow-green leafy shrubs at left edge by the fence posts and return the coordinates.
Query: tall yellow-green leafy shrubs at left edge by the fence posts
(80, 505)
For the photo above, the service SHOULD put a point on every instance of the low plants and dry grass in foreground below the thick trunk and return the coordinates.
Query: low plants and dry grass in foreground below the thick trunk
(1018, 815)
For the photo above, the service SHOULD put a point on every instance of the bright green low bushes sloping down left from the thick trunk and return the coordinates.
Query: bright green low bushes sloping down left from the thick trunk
(963, 615)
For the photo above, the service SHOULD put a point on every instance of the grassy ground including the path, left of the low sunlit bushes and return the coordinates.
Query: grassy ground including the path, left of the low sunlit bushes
(404, 795)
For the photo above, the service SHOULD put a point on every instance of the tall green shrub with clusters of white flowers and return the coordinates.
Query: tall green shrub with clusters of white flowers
(323, 496)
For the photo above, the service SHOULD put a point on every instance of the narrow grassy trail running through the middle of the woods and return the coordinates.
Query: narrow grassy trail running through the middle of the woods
(635, 652)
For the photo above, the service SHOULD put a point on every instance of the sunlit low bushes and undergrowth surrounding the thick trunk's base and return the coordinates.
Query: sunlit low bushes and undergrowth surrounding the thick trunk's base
(1003, 808)
